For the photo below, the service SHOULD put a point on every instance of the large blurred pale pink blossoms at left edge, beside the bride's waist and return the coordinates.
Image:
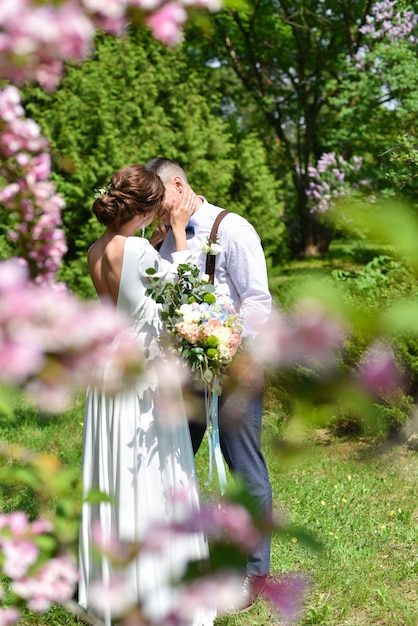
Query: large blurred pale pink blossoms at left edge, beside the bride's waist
(49, 341)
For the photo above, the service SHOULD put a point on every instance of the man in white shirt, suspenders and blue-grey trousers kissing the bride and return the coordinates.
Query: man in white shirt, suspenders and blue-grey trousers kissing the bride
(241, 274)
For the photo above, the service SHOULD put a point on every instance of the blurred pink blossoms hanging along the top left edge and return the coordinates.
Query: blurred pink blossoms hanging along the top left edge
(36, 39)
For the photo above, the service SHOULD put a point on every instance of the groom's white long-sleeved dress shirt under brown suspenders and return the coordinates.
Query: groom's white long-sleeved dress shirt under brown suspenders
(240, 267)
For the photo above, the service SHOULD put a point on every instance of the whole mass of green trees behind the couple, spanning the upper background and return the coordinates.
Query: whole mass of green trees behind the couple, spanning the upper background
(246, 109)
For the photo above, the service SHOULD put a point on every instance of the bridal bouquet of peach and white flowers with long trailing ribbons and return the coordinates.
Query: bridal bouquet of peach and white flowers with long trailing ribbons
(205, 331)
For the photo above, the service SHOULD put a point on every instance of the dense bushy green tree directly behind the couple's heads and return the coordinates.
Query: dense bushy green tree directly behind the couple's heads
(135, 99)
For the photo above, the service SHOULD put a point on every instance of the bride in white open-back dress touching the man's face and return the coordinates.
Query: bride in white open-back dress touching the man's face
(130, 452)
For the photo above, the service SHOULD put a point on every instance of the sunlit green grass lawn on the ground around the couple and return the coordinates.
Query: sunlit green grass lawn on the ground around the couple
(357, 497)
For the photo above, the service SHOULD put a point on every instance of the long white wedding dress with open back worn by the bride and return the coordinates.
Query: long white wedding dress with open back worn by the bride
(132, 454)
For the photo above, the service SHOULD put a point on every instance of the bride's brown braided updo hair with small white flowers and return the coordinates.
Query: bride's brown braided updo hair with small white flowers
(133, 190)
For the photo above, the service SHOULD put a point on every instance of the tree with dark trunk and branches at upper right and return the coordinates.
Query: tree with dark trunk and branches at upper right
(298, 66)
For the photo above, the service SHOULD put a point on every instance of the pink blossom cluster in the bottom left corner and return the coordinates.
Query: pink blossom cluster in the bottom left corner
(35, 582)
